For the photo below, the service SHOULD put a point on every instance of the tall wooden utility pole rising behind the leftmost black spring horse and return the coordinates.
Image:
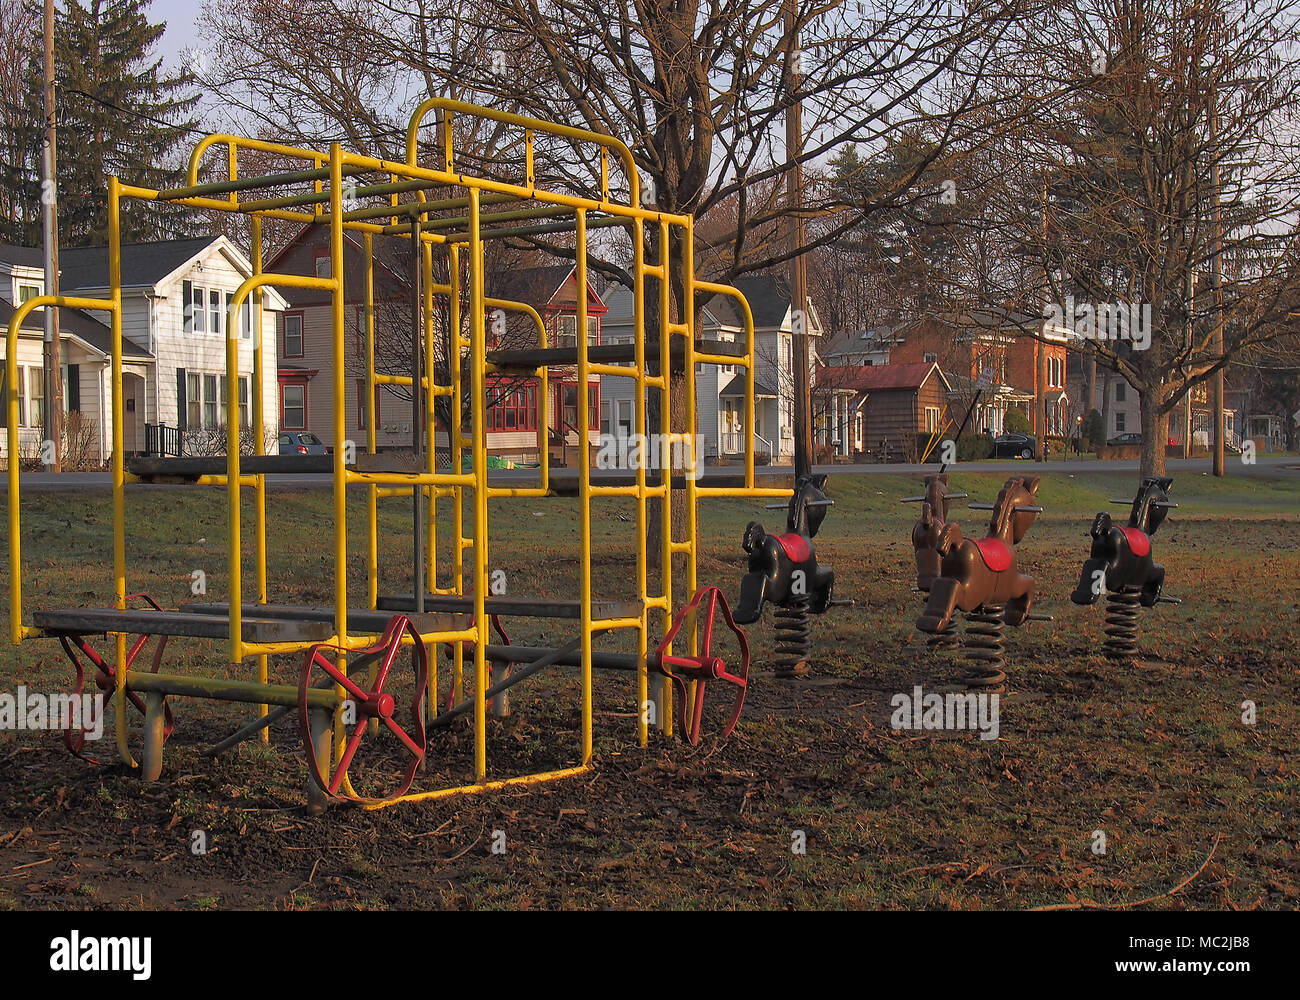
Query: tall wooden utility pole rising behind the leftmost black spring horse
(799, 272)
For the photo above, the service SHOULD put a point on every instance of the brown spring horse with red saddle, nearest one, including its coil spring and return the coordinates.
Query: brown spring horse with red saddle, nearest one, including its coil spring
(980, 577)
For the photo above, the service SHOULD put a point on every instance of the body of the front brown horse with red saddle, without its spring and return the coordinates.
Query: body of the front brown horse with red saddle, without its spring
(982, 572)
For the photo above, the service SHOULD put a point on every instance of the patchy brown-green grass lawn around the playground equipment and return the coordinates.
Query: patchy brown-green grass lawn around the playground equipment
(1154, 755)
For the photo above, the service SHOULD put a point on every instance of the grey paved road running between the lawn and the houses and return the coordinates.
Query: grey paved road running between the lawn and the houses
(1288, 467)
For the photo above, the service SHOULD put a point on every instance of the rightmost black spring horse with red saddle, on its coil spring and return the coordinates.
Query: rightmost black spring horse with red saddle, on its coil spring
(1121, 566)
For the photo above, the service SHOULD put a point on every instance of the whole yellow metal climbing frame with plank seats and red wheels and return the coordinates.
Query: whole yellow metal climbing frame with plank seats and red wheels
(449, 213)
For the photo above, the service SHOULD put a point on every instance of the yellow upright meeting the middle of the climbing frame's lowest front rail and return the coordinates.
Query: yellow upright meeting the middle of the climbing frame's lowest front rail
(478, 365)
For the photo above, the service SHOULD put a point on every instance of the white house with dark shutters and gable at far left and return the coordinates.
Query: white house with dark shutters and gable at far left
(175, 300)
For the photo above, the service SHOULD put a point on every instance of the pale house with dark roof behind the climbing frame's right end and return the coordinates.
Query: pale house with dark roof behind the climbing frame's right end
(720, 389)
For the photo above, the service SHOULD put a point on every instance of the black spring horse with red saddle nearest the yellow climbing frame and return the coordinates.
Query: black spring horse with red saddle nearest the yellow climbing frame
(783, 572)
